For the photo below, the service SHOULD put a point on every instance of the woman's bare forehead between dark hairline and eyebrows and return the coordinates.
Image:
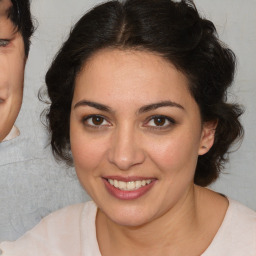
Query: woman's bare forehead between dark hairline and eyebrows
(130, 76)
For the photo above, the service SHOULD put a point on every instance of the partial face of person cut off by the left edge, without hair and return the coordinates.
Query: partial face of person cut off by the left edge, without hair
(12, 64)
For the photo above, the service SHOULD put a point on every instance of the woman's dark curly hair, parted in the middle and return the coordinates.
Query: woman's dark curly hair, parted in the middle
(175, 31)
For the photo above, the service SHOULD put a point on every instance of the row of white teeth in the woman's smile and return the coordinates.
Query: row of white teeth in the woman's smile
(130, 185)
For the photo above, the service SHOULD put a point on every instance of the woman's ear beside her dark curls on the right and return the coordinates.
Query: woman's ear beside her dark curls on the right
(207, 136)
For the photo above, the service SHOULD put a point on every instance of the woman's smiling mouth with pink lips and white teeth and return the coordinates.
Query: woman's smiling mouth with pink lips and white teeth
(130, 189)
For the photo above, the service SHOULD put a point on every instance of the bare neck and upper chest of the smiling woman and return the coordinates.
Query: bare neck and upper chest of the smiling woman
(179, 231)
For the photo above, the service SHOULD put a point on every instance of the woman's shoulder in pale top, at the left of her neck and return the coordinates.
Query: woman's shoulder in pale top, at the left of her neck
(56, 233)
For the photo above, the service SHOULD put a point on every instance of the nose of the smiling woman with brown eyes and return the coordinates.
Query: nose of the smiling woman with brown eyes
(126, 149)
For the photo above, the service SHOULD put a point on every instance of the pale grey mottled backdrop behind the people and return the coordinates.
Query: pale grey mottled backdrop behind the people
(32, 184)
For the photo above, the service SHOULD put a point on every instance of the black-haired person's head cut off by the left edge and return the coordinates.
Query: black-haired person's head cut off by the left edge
(15, 31)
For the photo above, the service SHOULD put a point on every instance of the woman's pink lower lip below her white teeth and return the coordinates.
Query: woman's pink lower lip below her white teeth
(127, 195)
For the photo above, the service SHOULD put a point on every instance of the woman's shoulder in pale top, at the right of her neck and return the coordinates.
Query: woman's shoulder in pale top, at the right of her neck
(237, 234)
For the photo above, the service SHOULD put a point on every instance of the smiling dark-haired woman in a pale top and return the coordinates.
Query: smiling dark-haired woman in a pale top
(138, 104)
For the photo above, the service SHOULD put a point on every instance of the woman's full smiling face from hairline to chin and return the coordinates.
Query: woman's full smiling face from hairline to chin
(135, 135)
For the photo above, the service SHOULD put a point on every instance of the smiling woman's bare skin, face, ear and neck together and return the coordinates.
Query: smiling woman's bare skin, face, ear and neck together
(134, 123)
